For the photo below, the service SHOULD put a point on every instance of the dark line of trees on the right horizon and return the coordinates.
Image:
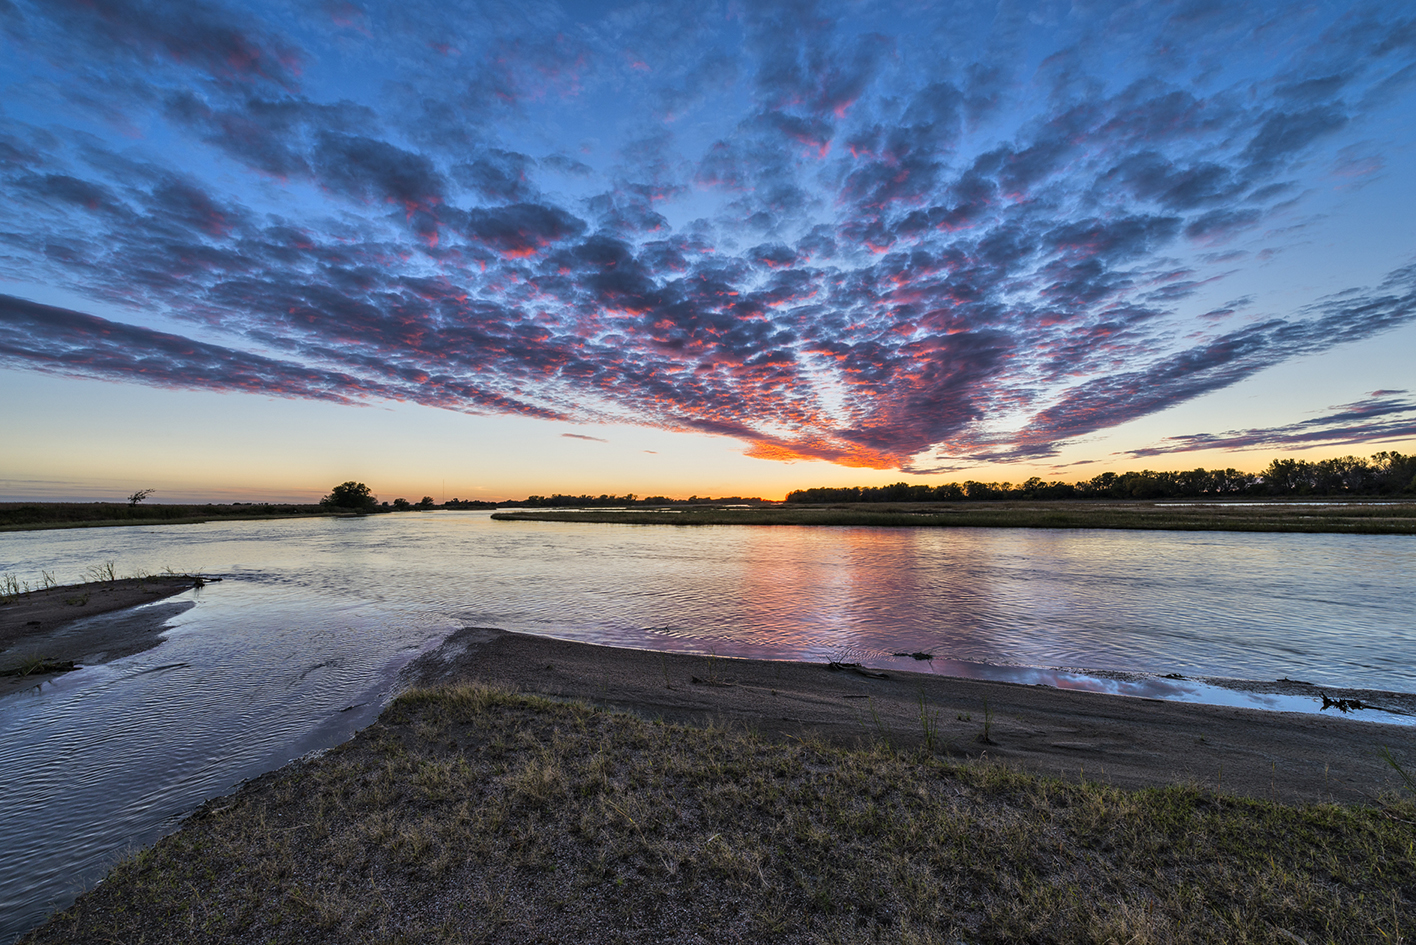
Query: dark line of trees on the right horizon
(1387, 474)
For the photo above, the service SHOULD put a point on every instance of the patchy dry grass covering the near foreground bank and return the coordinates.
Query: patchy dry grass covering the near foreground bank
(474, 814)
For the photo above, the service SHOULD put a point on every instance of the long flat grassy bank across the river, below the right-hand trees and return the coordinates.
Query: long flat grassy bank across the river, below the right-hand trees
(1356, 518)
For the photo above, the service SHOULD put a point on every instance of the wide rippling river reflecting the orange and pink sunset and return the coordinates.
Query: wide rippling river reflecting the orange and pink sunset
(301, 643)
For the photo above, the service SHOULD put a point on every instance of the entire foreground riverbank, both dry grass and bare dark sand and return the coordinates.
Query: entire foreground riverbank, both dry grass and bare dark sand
(792, 804)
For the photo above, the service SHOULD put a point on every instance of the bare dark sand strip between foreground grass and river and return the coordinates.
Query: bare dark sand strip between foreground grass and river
(1126, 742)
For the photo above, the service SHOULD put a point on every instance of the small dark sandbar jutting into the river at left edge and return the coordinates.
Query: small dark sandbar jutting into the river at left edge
(45, 633)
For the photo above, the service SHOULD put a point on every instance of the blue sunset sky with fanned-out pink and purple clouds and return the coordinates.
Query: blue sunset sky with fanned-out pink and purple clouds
(491, 250)
